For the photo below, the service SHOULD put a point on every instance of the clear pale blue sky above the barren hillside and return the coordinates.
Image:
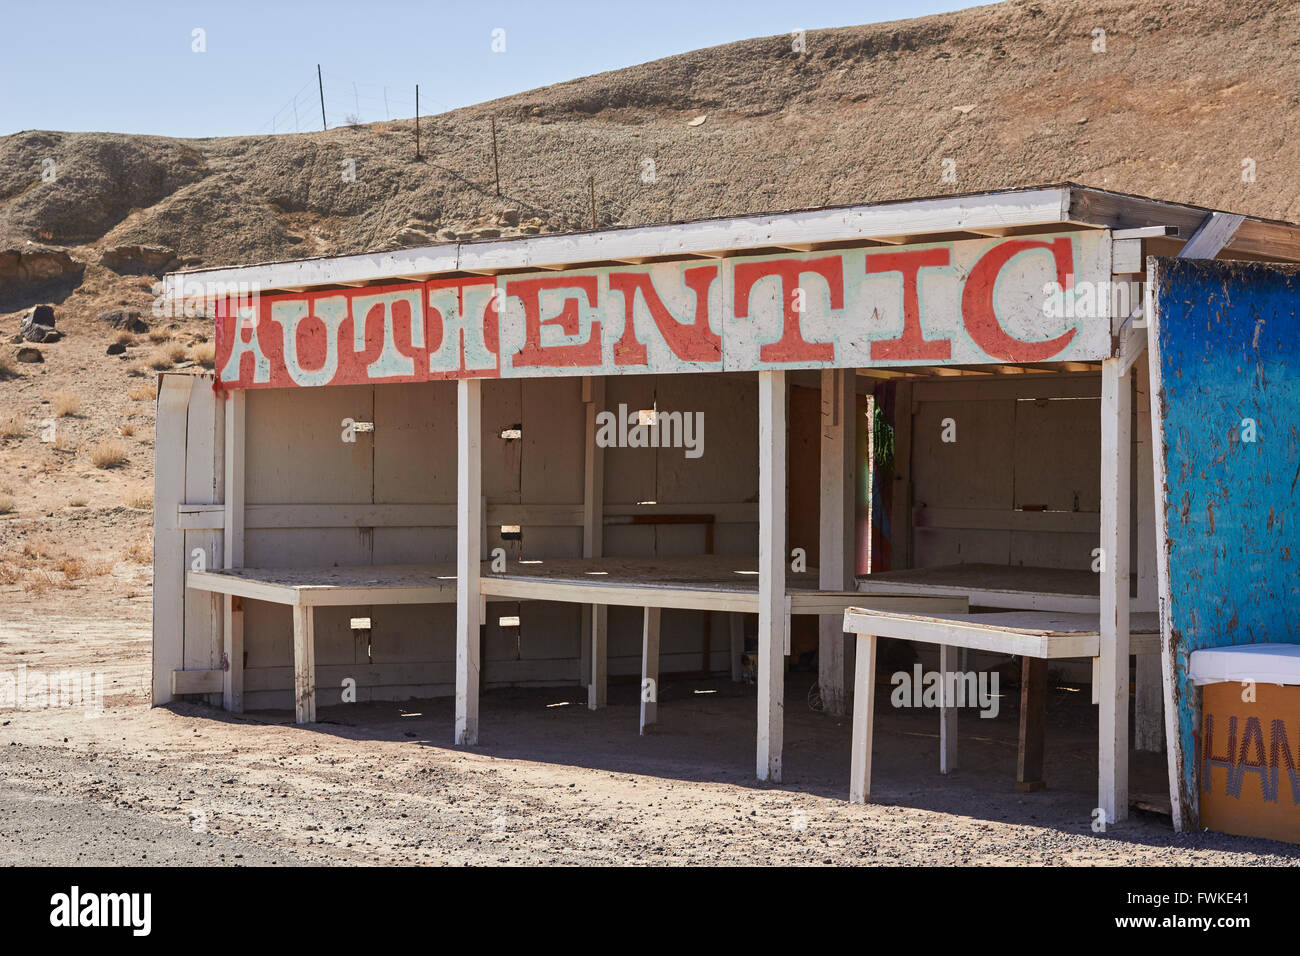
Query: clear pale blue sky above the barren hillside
(131, 68)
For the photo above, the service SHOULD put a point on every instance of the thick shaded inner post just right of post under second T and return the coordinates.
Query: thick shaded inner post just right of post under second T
(838, 518)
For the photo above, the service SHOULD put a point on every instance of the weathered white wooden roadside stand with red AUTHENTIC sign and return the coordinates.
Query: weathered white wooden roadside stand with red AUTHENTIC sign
(545, 461)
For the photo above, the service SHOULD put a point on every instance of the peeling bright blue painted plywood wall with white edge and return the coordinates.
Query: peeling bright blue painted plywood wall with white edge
(1227, 364)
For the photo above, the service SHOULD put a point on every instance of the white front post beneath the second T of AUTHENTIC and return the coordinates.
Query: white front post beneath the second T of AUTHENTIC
(772, 573)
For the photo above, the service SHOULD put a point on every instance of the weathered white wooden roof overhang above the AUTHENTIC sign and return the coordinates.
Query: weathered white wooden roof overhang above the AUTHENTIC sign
(998, 214)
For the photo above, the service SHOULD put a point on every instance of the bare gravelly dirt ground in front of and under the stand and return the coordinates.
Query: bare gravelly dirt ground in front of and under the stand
(551, 784)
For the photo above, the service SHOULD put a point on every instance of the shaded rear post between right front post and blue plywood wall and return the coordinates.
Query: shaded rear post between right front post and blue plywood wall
(1149, 708)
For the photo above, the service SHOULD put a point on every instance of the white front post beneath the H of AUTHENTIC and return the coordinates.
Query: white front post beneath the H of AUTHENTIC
(469, 556)
